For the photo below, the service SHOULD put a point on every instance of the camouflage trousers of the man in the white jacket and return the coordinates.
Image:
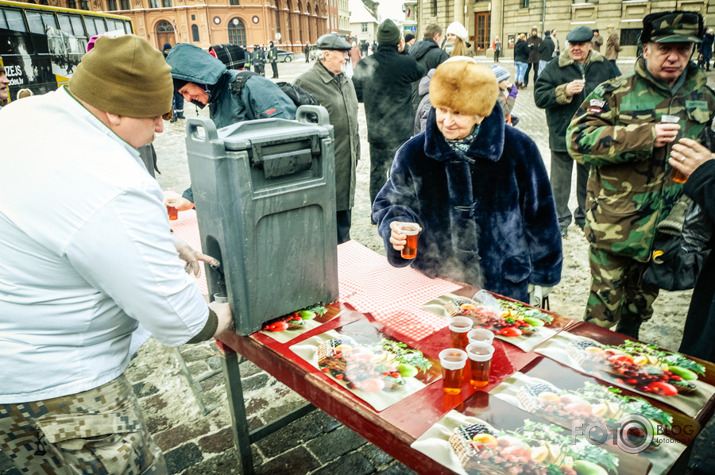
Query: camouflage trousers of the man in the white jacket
(100, 431)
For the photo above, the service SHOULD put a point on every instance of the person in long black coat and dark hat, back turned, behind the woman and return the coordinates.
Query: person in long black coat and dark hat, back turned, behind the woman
(383, 81)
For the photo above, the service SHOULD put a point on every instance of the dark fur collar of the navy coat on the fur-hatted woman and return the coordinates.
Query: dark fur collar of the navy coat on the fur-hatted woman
(488, 144)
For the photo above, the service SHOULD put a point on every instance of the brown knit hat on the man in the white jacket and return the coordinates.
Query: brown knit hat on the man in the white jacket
(124, 76)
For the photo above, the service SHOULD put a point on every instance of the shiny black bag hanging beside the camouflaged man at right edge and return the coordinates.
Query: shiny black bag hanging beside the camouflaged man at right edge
(681, 247)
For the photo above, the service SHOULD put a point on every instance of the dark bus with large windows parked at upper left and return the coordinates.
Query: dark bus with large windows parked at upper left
(40, 46)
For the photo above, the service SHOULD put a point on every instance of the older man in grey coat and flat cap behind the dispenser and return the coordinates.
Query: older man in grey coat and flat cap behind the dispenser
(328, 84)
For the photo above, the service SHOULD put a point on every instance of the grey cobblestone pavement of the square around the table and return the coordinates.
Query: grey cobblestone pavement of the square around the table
(182, 390)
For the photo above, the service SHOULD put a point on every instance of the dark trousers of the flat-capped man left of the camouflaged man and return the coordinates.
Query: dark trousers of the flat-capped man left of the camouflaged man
(561, 172)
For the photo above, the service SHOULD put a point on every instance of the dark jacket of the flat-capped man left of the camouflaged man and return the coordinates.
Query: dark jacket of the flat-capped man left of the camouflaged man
(550, 91)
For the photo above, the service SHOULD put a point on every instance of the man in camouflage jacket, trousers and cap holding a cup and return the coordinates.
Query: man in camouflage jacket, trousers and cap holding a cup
(618, 132)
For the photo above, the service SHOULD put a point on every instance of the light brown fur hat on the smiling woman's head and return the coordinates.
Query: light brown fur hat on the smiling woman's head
(464, 86)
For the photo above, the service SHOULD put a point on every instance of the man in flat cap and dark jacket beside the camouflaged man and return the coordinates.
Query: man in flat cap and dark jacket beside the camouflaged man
(560, 89)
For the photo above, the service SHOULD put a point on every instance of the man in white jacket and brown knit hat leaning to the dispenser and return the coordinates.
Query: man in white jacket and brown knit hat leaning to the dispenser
(87, 256)
